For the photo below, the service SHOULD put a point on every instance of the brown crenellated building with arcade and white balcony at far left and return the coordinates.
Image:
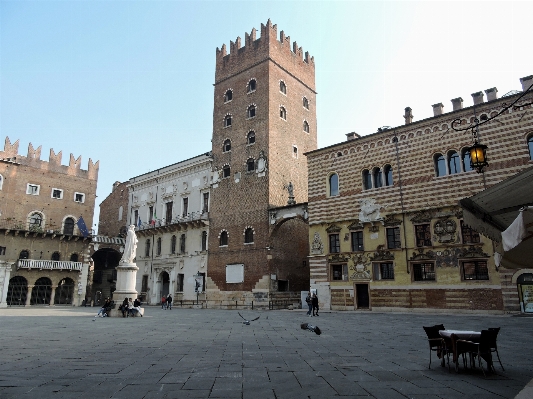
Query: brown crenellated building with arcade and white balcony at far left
(44, 256)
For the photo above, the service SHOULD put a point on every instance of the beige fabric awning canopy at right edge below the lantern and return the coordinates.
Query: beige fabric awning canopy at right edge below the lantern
(492, 212)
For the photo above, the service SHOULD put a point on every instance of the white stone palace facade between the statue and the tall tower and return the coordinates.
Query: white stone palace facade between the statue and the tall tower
(170, 208)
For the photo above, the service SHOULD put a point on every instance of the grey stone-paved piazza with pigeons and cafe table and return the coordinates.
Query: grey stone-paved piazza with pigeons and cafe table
(186, 353)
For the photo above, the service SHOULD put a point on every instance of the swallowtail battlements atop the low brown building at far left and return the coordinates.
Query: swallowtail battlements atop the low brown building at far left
(33, 159)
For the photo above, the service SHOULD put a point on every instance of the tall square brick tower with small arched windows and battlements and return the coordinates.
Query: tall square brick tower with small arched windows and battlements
(264, 120)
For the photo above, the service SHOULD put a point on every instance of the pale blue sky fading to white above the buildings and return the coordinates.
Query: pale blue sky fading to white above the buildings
(130, 83)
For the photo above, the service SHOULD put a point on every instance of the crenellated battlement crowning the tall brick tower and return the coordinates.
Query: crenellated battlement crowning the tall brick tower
(268, 46)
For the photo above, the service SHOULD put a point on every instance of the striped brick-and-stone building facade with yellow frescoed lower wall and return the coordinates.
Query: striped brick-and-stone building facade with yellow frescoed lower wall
(386, 230)
